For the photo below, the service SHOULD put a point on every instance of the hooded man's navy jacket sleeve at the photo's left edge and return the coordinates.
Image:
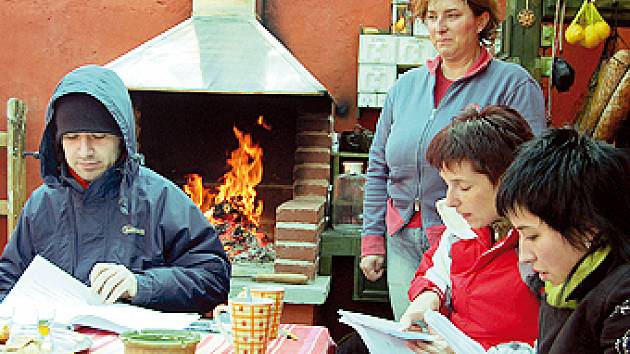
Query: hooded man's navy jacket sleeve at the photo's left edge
(17, 254)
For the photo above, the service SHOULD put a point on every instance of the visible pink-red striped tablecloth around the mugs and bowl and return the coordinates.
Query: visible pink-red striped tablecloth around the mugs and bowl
(311, 340)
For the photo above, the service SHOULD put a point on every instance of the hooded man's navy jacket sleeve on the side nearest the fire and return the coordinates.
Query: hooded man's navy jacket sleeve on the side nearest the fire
(196, 276)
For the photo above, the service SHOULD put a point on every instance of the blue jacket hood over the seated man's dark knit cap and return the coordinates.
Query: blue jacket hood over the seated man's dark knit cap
(104, 85)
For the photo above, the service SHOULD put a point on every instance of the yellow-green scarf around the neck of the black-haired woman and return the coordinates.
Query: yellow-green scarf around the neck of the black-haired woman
(557, 294)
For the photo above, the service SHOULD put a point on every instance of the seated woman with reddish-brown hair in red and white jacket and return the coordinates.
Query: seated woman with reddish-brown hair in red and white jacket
(471, 273)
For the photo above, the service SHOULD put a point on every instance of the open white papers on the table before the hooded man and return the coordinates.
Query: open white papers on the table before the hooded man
(43, 284)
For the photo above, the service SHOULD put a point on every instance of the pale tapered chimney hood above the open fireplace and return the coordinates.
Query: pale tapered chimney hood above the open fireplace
(222, 48)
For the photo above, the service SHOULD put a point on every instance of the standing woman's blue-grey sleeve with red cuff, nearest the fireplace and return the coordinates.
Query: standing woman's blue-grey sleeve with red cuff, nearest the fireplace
(375, 197)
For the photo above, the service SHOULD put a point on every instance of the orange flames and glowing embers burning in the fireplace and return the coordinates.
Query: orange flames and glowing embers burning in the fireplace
(232, 207)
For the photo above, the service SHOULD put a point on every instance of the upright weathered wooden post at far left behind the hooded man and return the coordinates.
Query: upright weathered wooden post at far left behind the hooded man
(16, 165)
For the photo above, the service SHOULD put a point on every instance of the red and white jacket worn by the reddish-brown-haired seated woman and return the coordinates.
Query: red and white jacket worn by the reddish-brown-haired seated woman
(479, 284)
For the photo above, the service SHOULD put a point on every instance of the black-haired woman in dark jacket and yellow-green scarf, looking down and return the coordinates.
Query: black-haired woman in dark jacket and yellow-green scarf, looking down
(569, 197)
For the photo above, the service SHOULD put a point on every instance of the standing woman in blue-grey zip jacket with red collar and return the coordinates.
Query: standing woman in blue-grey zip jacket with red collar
(402, 188)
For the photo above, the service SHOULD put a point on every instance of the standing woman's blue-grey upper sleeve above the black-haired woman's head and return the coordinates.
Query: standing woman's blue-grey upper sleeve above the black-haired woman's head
(527, 98)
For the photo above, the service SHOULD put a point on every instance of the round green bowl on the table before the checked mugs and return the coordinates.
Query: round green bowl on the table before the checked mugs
(160, 339)
